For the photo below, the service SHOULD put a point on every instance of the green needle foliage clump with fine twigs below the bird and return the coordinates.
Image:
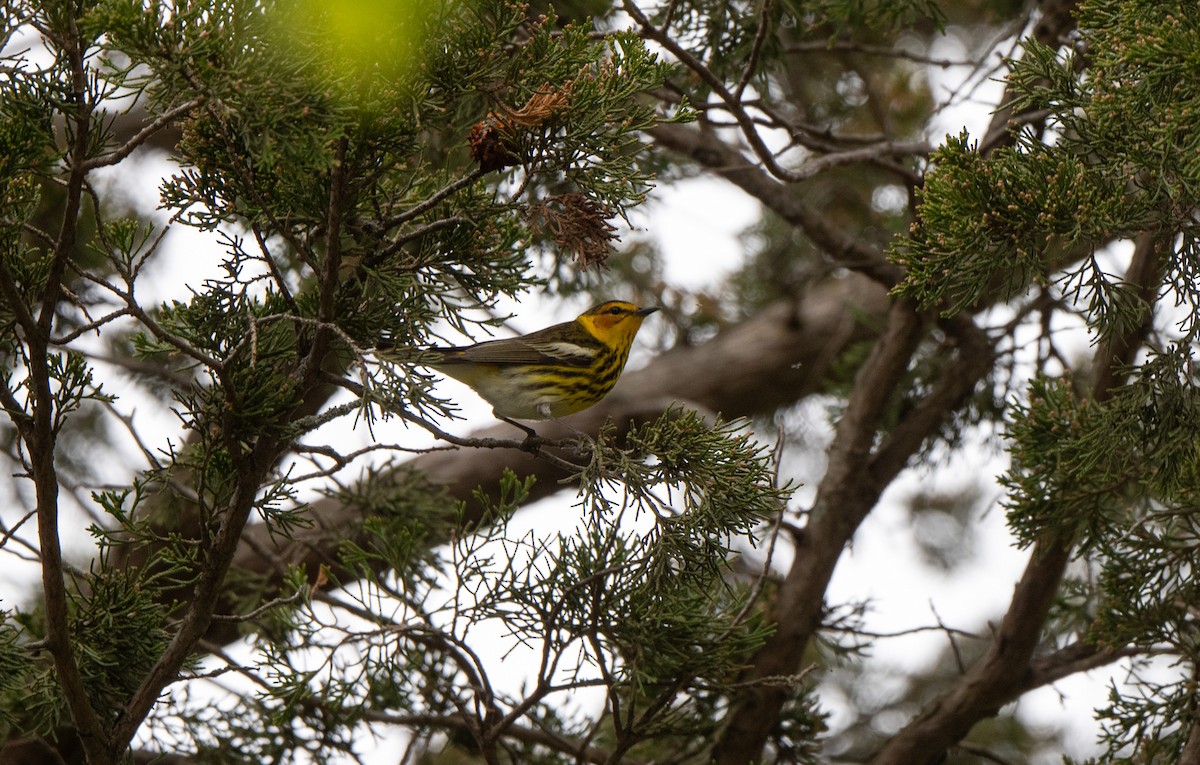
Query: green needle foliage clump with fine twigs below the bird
(635, 604)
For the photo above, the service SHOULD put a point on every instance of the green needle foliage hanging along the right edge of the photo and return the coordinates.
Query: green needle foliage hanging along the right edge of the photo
(1111, 472)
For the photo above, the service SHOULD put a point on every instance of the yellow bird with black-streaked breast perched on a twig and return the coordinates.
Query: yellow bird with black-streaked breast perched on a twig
(550, 374)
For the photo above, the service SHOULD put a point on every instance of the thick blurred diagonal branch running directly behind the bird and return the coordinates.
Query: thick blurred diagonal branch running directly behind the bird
(777, 358)
